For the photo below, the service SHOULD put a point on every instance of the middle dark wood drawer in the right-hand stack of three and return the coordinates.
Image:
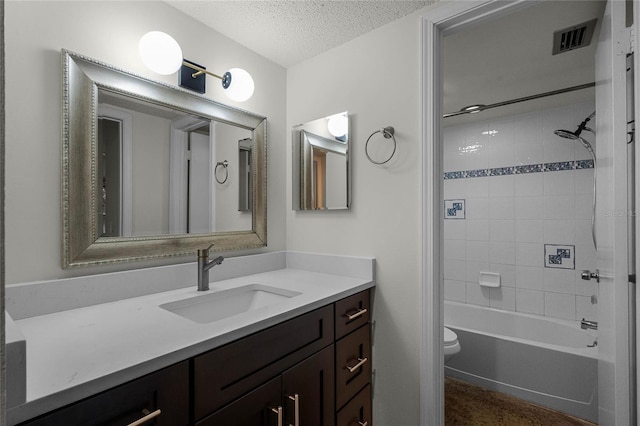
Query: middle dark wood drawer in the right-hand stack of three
(353, 364)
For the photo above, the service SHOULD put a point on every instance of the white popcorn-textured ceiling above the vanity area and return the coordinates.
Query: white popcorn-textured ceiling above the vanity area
(288, 32)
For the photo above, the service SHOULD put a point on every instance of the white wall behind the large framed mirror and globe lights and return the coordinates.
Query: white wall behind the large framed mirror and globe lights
(35, 32)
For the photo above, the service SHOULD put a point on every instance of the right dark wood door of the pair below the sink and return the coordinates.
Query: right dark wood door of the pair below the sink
(308, 390)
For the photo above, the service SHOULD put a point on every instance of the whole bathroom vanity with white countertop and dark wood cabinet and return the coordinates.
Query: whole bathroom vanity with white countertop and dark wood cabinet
(304, 359)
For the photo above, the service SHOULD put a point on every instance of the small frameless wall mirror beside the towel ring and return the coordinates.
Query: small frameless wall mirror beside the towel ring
(321, 164)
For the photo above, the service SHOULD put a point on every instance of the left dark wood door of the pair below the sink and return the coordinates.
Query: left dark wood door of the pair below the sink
(260, 407)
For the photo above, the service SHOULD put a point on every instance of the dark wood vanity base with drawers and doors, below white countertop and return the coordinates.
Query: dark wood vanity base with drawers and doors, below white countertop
(313, 370)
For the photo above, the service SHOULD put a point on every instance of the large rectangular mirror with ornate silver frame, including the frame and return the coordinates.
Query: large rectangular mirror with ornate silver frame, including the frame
(151, 170)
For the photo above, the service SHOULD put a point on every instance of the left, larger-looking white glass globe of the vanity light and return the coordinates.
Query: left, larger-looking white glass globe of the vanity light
(160, 52)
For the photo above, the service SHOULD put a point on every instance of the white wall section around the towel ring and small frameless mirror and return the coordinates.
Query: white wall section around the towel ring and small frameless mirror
(376, 79)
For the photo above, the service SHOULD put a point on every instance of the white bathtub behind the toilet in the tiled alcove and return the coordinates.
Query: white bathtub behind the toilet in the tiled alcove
(543, 360)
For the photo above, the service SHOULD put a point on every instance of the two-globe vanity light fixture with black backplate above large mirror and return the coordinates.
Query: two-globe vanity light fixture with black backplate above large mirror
(162, 54)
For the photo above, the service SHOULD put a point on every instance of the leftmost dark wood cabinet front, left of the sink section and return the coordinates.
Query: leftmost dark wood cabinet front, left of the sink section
(167, 391)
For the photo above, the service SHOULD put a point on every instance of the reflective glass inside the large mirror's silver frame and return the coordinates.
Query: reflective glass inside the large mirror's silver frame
(156, 171)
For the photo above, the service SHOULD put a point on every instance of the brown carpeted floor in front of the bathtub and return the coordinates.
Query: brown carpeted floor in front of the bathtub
(467, 404)
